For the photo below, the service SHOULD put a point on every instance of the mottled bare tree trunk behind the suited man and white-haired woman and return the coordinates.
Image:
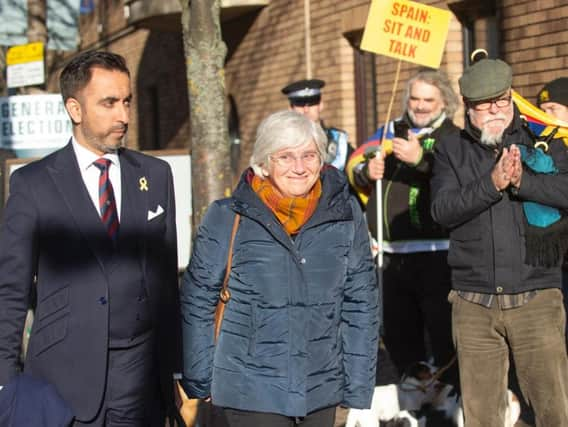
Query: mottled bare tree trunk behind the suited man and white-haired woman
(205, 56)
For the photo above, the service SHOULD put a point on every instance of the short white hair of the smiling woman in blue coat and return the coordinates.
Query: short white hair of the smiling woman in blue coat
(281, 130)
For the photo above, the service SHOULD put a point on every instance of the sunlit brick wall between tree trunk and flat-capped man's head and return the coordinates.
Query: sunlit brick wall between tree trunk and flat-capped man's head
(272, 54)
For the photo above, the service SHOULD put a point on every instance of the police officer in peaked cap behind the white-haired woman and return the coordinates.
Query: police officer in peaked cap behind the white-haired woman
(305, 98)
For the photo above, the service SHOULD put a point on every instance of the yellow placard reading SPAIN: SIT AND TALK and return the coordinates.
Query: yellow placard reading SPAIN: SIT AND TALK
(407, 30)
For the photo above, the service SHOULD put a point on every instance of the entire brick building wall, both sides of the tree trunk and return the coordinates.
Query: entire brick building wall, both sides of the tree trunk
(267, 51)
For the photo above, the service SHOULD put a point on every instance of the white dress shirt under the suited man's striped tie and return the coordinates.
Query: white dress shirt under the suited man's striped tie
(90, 174)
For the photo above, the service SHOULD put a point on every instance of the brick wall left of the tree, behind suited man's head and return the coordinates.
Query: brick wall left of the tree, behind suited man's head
(159, 116)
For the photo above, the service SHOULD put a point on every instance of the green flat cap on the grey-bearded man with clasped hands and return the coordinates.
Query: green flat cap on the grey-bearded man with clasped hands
(485, 79)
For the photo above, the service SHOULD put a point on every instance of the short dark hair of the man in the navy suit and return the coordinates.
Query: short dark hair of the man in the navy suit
(77, 73)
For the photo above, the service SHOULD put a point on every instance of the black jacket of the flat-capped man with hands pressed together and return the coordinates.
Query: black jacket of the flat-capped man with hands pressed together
(487, 227)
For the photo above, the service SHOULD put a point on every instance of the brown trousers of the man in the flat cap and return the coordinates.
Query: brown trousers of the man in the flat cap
(534, 334)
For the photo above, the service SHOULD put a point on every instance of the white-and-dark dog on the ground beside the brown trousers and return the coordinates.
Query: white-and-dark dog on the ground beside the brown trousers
(393, 401)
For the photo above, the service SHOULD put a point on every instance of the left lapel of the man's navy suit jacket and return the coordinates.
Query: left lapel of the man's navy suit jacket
(68, 180)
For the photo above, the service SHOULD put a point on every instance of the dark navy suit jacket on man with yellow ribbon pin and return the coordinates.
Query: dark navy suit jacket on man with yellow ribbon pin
(53, 237)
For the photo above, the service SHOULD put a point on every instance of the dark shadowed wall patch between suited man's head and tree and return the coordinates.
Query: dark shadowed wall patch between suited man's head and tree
(161, 87)
